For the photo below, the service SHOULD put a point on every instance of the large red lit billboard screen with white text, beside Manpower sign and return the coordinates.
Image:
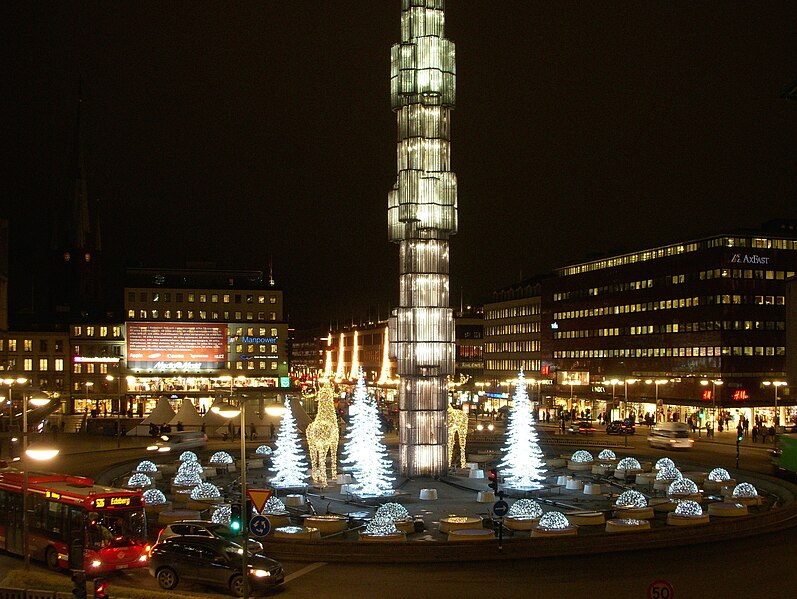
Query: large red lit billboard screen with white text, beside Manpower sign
(176, 347)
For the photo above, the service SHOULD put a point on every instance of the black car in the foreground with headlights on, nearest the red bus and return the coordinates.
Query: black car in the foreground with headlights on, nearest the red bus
(211, 561)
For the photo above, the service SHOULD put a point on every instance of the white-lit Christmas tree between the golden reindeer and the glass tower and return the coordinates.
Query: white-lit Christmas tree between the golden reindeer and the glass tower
(365, 452)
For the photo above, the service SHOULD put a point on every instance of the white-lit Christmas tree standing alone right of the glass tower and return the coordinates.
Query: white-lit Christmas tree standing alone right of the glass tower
(523, 466)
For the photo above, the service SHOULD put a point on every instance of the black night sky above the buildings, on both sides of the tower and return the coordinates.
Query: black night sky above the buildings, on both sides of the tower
(235, 131)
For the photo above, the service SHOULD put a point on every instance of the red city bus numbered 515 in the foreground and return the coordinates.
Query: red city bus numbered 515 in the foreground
(69, 511)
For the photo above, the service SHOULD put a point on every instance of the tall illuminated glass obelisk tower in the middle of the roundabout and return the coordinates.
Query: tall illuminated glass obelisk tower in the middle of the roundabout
(422, 215)
